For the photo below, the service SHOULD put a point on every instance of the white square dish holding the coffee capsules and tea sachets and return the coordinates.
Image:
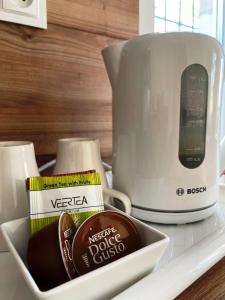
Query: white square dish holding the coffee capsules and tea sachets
(103, 283)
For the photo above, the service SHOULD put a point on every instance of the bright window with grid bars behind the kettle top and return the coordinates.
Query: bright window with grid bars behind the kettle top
(205, 16)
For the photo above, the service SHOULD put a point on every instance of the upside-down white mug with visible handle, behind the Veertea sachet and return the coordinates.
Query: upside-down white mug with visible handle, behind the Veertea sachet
(82, 154)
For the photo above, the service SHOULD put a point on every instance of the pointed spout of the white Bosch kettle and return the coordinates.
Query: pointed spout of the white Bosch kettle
(111, 56)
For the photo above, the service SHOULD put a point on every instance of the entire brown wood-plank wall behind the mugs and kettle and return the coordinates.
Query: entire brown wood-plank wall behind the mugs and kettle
(53, 82)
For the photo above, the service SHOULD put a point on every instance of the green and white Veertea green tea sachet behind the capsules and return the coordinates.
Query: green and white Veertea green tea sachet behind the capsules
(80, 195)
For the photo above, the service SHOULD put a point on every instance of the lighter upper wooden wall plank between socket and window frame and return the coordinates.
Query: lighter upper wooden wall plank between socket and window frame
(115, 18)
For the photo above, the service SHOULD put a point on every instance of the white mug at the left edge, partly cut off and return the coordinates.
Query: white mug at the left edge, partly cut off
(17, 162)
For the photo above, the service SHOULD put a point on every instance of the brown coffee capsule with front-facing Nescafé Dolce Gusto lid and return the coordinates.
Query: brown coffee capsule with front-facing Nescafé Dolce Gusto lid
(103, 238)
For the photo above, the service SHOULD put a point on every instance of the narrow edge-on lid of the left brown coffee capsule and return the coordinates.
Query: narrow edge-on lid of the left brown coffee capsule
(66, 231)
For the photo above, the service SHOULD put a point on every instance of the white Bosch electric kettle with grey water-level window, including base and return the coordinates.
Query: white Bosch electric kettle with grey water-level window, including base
(167, 91)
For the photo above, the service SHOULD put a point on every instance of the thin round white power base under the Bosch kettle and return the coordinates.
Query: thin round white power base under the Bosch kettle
(173, 217)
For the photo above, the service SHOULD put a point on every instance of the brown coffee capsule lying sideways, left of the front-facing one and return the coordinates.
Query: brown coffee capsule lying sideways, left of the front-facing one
(49, 252)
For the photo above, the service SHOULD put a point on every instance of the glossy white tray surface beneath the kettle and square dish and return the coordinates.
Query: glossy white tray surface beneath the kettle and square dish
(193, 249)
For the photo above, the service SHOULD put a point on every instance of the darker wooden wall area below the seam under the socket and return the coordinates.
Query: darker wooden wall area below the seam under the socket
(53, 84)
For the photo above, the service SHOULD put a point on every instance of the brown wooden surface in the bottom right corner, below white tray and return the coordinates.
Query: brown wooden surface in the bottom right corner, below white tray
(211, 286)
